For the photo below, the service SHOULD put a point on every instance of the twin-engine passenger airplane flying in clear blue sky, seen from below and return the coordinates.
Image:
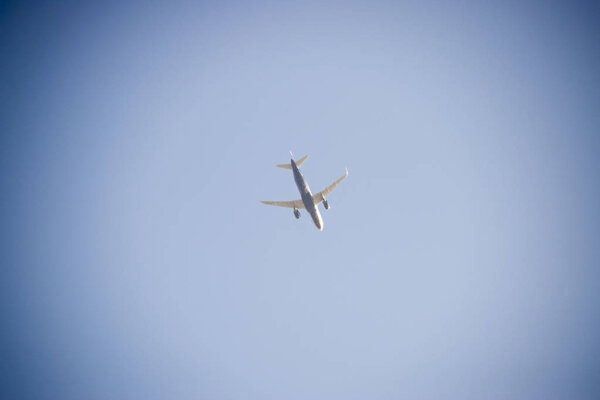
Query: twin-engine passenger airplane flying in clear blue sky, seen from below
(308, 201)
